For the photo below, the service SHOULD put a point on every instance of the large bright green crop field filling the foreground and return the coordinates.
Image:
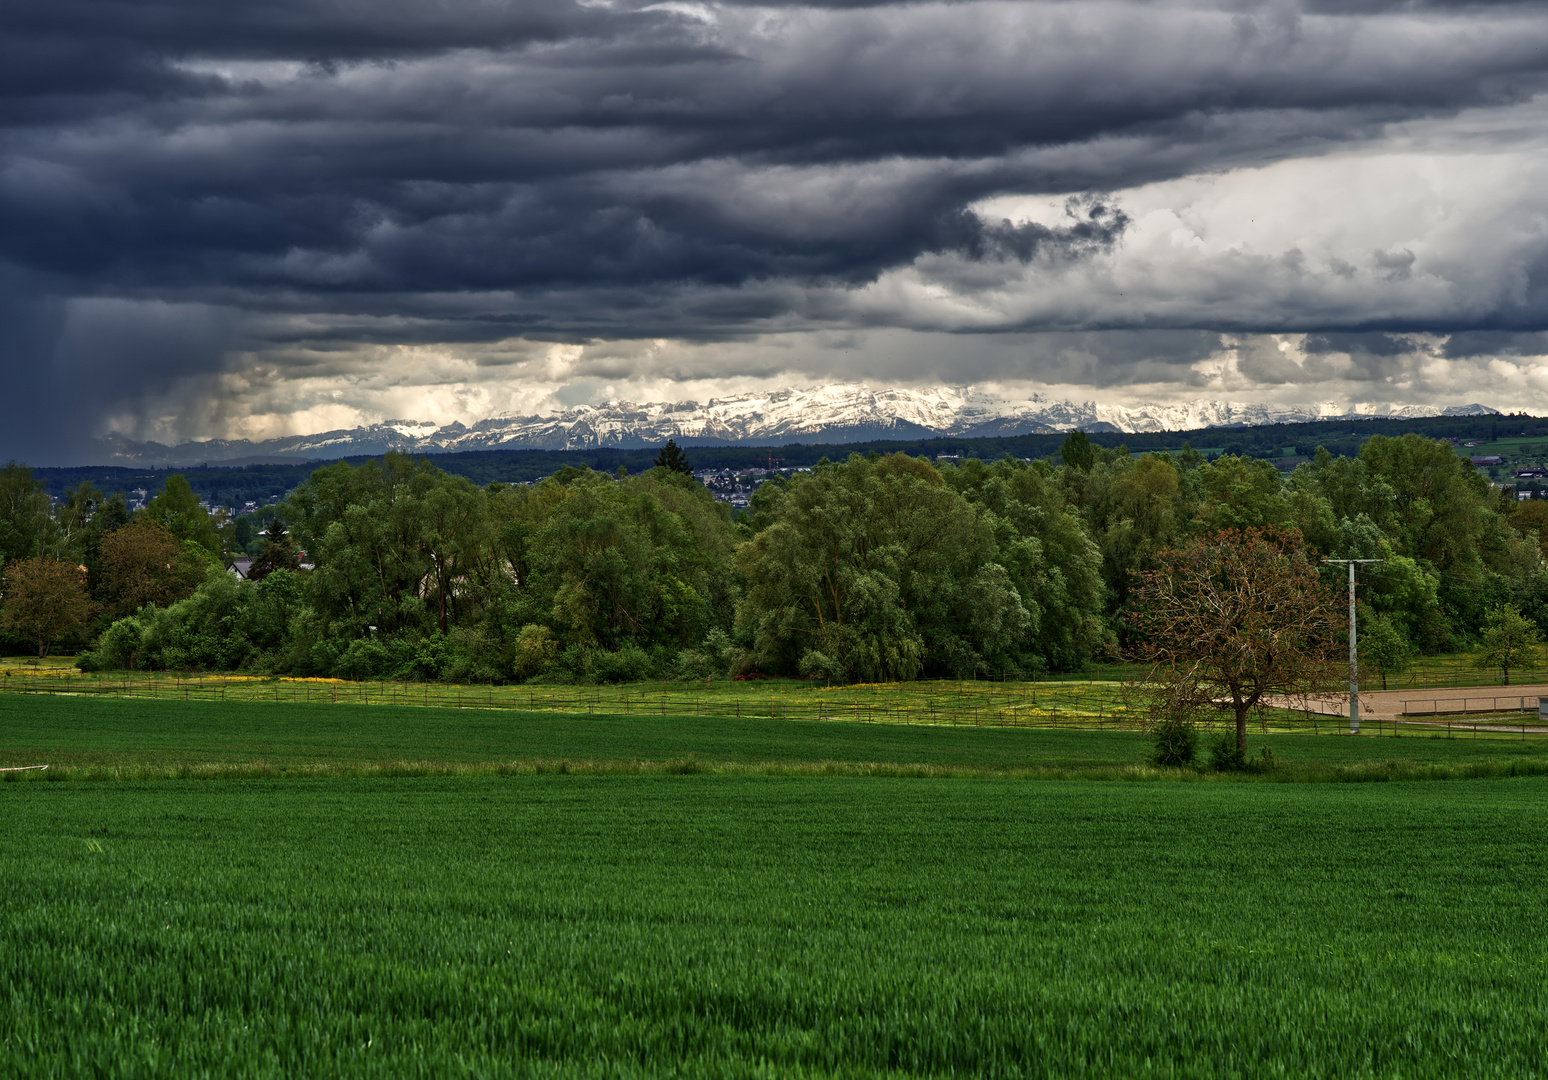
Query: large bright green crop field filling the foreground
(761, 926)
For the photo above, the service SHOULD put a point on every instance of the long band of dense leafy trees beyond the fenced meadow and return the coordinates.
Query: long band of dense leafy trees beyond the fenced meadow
(880, 567)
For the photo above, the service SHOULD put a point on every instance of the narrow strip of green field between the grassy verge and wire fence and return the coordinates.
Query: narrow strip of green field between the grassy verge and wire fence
(104, 739)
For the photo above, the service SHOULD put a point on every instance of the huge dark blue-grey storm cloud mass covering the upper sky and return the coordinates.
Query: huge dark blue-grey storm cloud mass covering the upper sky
(564, 169)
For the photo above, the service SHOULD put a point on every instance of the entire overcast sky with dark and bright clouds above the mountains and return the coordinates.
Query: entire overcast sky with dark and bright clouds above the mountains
(262, 219)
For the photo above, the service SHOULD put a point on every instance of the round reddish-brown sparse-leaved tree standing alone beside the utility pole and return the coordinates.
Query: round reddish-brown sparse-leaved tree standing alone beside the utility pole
(1233, 620)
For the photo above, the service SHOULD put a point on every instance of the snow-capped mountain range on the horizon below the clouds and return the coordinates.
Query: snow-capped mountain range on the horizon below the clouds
(835, 414)
